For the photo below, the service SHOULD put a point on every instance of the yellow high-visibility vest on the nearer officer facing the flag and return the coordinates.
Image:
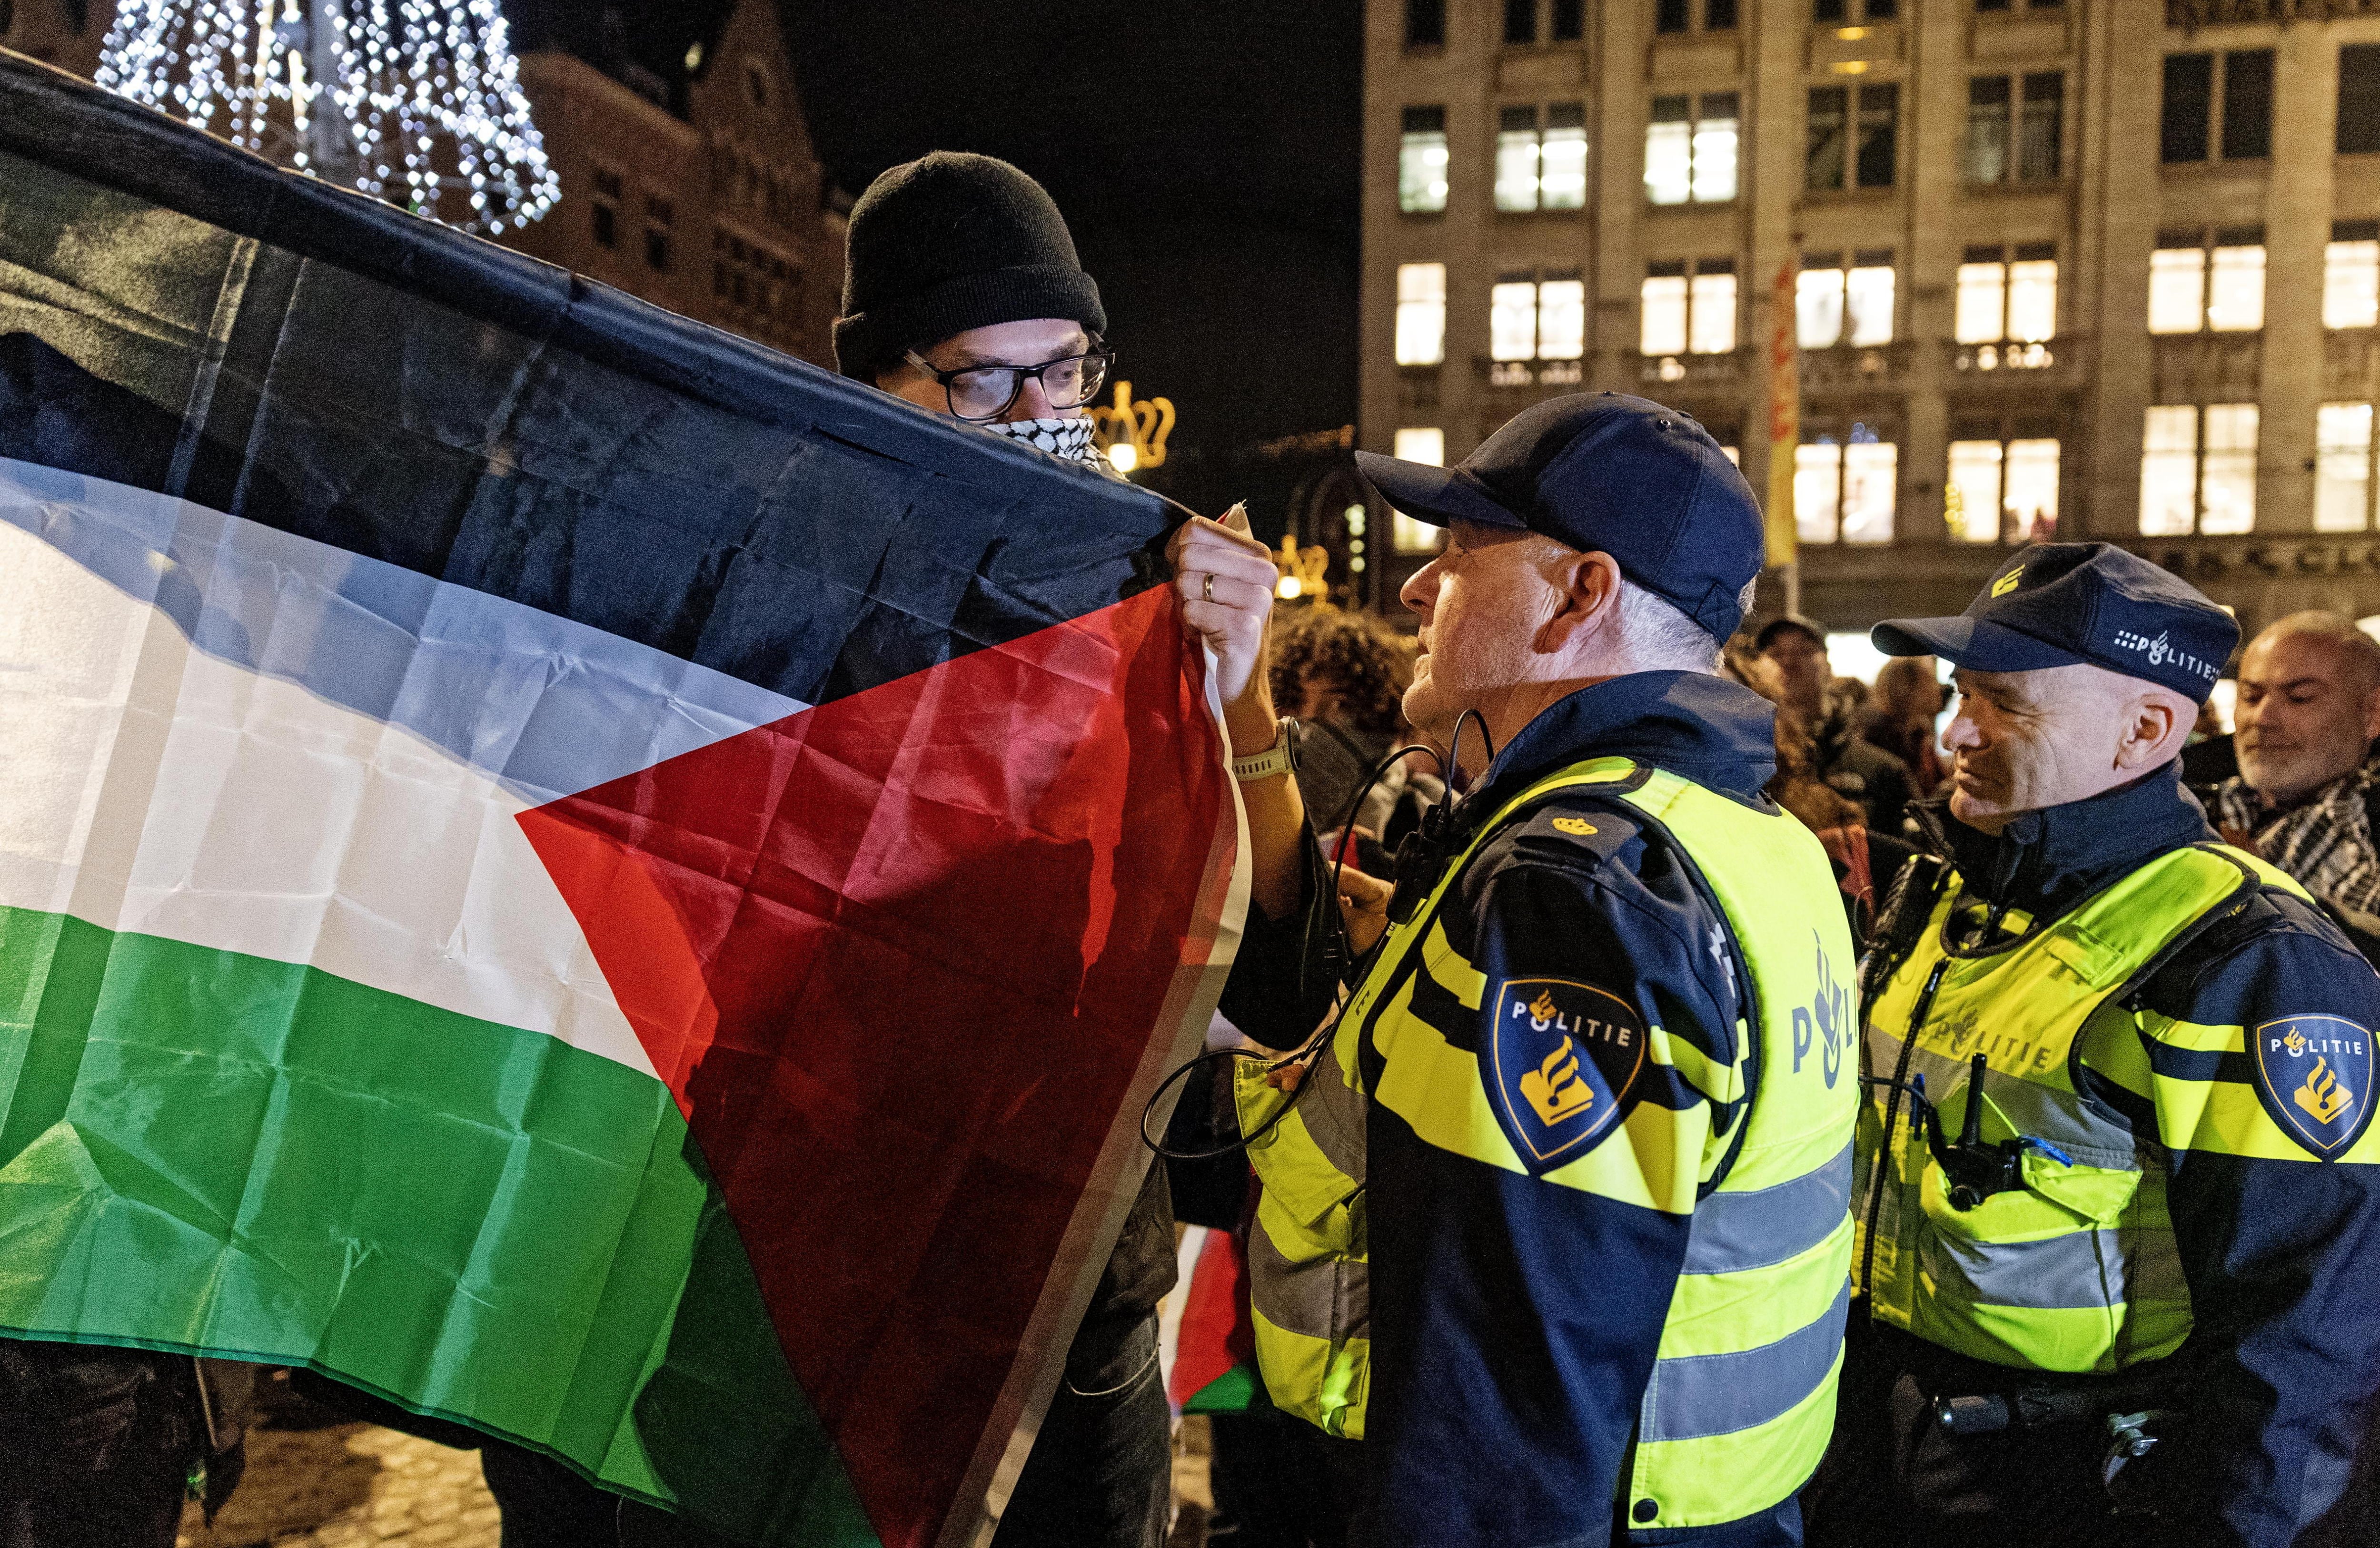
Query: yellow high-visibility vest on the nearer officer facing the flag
(1741, 1402)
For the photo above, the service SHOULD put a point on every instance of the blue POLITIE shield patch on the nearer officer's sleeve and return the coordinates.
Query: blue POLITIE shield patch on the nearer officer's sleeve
(1560, 1062)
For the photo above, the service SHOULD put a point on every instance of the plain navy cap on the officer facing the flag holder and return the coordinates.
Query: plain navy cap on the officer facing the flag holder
(1605, 472)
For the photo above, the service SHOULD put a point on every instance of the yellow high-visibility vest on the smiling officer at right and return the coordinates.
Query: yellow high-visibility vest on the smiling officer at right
(2079, 1269)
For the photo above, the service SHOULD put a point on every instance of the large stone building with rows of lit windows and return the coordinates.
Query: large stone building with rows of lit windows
(2100, 270)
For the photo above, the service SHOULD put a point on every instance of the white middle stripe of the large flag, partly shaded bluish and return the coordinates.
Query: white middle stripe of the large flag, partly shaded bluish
(187, 793)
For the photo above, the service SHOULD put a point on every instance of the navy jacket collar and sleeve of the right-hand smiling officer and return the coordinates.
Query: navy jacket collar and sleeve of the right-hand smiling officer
(2281, 1247)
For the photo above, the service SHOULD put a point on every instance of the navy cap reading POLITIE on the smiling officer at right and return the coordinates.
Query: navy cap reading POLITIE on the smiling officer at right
(2079, 603)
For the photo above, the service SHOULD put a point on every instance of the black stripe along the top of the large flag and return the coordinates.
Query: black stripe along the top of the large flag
(339, 370)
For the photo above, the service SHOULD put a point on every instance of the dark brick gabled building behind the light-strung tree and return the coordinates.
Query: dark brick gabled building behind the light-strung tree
(689, 184)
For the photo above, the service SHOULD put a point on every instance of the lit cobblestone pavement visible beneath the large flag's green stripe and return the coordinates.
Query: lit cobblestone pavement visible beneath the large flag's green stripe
(351, 1487)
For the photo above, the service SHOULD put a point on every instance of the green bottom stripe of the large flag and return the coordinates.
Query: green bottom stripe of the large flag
(253, 1159)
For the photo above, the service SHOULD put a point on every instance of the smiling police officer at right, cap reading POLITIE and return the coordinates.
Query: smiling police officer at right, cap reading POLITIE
(2117, 1193)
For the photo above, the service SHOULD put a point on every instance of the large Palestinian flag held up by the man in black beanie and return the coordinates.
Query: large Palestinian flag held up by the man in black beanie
(556, 864)
